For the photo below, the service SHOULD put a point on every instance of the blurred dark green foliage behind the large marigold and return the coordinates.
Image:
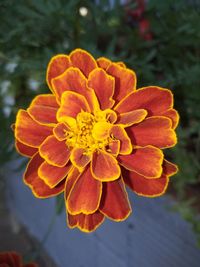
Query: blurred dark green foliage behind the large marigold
(34, 30)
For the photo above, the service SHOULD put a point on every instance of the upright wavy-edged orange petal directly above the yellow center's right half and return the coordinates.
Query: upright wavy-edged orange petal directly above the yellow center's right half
(103, 85)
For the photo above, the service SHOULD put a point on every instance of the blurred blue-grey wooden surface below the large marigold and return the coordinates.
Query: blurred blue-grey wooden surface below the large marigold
(152, 236)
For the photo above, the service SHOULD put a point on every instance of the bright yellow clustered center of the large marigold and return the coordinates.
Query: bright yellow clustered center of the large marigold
(90, 132)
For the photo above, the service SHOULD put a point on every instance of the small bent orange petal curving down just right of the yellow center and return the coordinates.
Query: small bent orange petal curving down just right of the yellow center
(125, 143)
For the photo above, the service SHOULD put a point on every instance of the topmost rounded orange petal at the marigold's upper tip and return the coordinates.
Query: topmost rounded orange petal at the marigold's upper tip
(83, 60)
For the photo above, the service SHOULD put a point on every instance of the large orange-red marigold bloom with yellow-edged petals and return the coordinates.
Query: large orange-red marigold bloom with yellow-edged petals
(94, 134)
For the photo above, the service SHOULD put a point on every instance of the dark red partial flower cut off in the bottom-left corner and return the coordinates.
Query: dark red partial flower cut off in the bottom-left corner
(12, 259)
